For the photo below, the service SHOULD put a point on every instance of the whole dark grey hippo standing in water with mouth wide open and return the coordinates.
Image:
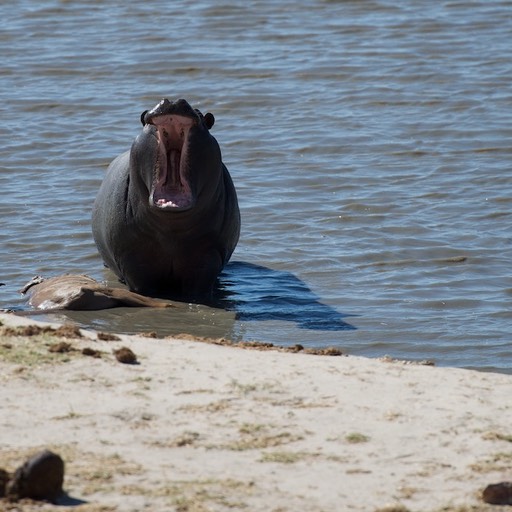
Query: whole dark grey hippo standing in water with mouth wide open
(166, 218)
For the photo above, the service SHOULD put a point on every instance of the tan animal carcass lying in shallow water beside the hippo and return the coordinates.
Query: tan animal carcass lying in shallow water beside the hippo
(80, 292)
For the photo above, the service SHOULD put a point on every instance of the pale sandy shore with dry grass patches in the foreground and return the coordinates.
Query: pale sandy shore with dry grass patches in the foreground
(202, 427)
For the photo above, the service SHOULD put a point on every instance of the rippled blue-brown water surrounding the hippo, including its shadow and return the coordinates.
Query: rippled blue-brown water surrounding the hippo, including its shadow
(370, 144)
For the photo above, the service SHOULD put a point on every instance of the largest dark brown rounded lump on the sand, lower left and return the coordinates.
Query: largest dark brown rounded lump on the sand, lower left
(40, 478)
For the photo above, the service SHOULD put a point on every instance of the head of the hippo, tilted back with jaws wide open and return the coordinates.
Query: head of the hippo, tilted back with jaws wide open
(175, 156)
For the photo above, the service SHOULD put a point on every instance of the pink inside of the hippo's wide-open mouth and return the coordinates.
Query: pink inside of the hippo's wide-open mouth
(171, 188)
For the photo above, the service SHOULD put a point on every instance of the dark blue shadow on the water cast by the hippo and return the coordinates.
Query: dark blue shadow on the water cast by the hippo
(256, 293)
